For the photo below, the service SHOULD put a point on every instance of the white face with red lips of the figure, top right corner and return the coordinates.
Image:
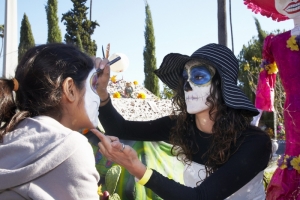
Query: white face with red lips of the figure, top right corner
(289, 8)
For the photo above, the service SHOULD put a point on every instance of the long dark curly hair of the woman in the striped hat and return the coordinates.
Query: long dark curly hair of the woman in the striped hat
(228, 125)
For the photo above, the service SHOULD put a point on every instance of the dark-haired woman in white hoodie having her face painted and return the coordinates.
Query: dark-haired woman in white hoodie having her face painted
(42, 156)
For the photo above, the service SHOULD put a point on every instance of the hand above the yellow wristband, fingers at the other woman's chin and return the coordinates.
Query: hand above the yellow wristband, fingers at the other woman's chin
(120, 153)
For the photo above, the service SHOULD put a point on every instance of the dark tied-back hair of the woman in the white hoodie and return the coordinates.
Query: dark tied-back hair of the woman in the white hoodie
(40, 74)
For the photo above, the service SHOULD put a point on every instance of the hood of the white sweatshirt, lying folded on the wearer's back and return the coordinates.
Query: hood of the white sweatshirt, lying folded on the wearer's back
(36, 146)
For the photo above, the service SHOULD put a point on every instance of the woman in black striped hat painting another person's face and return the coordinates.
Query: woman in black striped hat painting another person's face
(224, 155)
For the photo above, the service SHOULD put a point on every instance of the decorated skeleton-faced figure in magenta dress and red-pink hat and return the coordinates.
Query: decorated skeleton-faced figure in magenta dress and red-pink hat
(282, 51)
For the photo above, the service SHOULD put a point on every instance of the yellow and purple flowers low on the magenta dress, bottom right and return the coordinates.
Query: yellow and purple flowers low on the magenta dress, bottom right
(289, 162)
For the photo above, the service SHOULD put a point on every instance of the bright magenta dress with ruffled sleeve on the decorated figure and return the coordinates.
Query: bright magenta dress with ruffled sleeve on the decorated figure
(285, 183)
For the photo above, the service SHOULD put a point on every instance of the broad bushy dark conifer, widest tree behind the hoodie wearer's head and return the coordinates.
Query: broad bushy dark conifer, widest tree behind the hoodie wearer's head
(79, 28)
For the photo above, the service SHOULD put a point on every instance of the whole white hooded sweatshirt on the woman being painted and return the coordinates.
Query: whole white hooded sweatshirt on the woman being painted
(42, 159)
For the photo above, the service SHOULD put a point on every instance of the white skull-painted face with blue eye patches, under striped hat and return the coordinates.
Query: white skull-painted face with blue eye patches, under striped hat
(197, 77)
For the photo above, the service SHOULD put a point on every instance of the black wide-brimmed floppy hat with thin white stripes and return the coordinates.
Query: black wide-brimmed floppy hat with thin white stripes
(215, 55)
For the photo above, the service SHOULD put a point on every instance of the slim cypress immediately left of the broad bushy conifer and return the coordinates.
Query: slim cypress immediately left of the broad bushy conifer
(54, 34)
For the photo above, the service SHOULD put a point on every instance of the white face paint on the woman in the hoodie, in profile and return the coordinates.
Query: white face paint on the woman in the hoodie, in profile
(91, 100)
